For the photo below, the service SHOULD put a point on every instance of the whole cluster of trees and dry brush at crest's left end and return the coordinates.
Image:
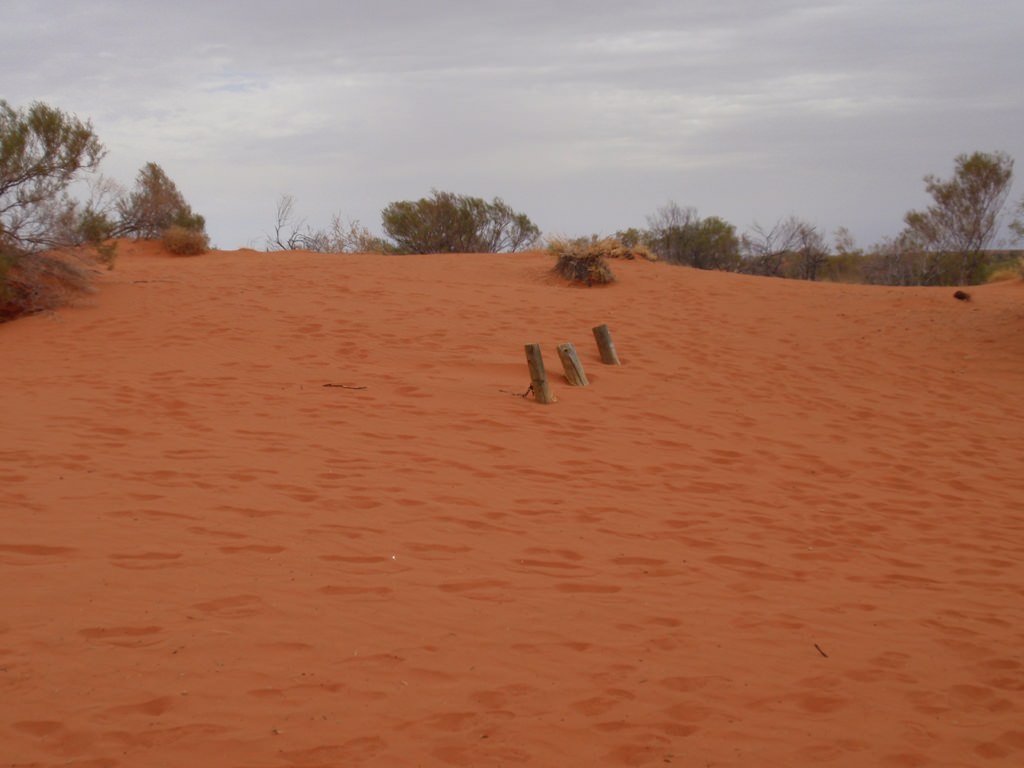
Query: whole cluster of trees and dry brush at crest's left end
(44, 152)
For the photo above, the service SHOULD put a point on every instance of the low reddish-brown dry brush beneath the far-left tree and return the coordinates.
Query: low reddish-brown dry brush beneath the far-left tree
(37, 282)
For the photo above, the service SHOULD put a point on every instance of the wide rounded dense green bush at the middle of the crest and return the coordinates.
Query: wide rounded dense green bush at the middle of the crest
(447, 223)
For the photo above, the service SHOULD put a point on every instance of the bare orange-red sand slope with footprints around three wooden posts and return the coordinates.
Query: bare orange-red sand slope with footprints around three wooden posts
(788, 532)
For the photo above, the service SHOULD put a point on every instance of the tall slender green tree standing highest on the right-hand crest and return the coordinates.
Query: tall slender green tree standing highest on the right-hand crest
(965, 217)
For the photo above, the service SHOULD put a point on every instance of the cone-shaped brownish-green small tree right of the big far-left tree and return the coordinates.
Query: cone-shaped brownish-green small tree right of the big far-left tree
(155, 205)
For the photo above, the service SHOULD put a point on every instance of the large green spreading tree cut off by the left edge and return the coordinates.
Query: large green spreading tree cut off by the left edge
(42, 152)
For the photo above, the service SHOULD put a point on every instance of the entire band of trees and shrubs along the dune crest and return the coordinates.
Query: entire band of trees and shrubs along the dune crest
(51, 240)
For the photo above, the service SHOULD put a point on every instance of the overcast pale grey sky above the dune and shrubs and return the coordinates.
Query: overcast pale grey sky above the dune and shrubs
(587, 116)
